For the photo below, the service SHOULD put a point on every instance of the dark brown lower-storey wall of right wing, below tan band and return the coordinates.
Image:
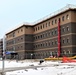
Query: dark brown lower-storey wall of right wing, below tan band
(48, 42)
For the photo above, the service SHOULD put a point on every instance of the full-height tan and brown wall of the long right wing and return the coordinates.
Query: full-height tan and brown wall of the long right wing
(46, 36)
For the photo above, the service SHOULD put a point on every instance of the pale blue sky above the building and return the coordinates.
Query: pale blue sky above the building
(15, 12)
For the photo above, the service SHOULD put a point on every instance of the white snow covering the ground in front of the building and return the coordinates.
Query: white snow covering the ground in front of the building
(49, 70)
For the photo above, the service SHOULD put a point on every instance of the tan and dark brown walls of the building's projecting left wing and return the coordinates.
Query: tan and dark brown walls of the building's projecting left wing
(20, 41)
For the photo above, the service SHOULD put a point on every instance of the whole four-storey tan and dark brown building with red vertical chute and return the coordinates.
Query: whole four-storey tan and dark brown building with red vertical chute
(53, 35)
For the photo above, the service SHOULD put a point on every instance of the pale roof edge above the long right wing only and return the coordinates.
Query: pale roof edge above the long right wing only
(58, 12)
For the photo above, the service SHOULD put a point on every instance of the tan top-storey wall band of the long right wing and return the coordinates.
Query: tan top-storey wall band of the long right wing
(49, 24)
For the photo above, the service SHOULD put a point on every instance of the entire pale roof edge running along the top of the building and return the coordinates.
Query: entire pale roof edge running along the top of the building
(62, 10)
